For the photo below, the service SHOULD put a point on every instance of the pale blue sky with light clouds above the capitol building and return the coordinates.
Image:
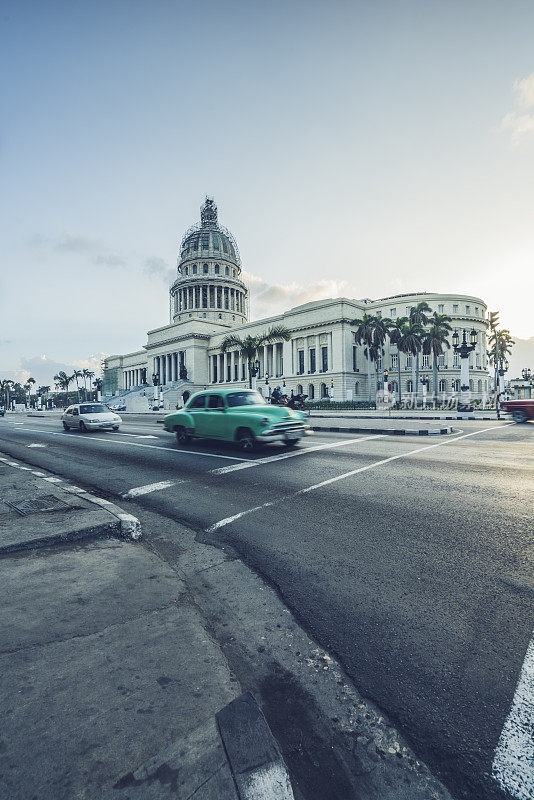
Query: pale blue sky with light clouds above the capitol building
(353, 148)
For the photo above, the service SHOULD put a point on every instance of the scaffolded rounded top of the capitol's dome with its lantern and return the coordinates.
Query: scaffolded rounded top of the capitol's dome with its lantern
(208, 238)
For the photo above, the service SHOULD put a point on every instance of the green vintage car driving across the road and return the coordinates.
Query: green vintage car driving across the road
(236, 415)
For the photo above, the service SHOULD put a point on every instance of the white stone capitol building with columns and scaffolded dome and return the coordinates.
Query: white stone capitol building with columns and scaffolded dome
(209, 299)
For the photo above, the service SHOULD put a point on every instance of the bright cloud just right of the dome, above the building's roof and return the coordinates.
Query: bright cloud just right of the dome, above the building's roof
(268, 299)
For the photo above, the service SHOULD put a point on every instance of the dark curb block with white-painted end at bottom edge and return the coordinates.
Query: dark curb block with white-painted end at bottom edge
(256, 762)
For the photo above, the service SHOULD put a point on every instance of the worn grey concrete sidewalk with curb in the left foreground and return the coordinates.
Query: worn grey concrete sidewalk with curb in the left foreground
(111, 684)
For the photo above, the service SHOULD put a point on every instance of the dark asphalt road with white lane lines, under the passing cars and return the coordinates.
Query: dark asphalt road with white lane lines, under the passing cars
(408, 559)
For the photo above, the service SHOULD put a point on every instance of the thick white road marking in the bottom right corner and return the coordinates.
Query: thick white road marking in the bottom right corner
(514, 755)
